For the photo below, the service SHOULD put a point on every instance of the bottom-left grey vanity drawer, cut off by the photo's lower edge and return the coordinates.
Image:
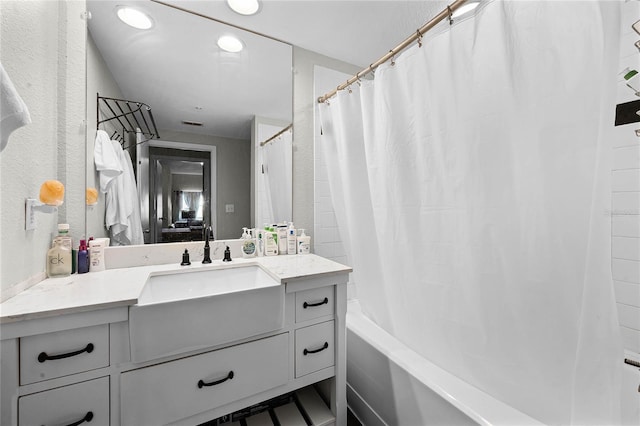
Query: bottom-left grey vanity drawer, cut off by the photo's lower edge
(67, 405)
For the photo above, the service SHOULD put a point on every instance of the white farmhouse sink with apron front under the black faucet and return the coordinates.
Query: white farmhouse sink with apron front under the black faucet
(189, 310)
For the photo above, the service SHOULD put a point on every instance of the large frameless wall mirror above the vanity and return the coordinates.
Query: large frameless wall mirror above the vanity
(199, 157)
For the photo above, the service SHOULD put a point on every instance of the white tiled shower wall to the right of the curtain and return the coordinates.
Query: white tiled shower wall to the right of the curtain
(625, 186)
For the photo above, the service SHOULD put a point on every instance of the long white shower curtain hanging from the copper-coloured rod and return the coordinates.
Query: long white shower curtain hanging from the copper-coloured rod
(470, 182)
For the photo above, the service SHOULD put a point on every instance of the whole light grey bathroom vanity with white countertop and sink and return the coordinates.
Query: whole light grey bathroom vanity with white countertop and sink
(165, 344)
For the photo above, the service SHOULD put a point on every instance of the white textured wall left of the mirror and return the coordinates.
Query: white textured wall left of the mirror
(42, 50)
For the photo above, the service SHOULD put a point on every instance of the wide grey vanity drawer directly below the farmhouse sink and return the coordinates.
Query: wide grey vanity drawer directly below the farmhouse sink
(165, 393)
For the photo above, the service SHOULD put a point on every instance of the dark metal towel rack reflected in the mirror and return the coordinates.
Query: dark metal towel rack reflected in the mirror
(130, 116)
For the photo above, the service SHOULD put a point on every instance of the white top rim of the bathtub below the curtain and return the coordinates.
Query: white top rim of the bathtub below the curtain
(476, 404)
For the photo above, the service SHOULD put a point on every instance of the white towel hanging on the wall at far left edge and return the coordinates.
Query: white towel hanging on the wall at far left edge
(13, 111)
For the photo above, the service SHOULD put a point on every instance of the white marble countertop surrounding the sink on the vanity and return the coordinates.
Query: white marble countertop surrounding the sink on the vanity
(122, 286)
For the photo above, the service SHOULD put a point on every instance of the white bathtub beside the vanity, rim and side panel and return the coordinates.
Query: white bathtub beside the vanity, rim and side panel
(389, 384)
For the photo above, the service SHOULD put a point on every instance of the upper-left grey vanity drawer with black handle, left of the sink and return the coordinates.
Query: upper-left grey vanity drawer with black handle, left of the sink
(51, 355)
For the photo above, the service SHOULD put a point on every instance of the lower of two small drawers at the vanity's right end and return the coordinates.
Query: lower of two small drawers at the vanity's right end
(314, 348)
